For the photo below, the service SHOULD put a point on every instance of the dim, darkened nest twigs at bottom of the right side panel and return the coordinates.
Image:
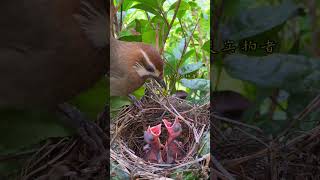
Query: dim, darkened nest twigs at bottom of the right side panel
(242, 151)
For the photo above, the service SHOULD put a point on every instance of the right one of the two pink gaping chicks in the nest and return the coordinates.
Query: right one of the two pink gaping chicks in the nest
(173, 148)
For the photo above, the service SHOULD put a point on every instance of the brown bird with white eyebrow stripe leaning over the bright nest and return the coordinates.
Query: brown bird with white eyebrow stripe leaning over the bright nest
(131, 64)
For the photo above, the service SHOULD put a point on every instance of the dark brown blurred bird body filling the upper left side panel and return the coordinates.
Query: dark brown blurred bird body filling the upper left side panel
(45, 57)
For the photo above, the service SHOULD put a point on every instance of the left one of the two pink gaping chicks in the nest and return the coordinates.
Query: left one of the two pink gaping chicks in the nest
(153, 148)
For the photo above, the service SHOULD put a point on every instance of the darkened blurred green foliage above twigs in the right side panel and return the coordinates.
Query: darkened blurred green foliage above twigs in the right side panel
(289, 73)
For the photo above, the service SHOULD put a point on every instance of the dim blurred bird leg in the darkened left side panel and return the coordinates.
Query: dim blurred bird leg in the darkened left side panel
(90, 133)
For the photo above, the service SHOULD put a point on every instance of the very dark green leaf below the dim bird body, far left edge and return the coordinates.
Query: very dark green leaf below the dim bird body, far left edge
(20, 128)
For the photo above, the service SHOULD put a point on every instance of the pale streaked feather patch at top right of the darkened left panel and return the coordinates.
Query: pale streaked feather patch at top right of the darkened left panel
(94, 23)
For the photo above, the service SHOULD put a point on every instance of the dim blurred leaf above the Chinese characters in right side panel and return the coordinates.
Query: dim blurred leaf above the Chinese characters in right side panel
(258, 20)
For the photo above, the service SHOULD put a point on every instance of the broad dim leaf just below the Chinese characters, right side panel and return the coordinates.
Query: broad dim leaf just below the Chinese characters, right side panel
(290, 72)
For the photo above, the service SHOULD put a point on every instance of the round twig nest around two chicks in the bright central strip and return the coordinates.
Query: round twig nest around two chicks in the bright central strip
(127, 136)
